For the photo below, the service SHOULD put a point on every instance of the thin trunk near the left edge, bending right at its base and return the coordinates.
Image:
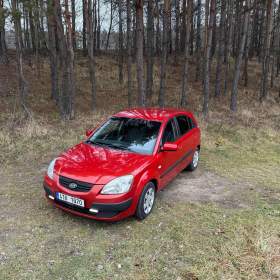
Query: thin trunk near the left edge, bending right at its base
(23, 87)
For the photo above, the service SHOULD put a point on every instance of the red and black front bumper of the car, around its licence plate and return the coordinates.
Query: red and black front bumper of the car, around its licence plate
(113, 210)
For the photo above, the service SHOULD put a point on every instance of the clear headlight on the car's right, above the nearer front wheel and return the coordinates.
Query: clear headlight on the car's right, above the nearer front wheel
(118, 185)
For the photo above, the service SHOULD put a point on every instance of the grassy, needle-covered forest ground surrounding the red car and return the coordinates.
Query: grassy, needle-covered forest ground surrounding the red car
(219, 222)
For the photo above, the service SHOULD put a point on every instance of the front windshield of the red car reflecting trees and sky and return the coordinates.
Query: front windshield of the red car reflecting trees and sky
(136, 135)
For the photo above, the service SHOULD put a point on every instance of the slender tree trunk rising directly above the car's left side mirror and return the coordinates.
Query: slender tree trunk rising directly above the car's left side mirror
(90, 46)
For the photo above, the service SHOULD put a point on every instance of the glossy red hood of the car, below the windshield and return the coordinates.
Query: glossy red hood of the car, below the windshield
(99, 165)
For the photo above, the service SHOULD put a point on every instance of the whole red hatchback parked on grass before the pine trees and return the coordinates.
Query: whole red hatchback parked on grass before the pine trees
(117, 171)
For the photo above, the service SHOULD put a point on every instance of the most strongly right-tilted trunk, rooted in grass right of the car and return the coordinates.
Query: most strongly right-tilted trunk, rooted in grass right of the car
(234, 92)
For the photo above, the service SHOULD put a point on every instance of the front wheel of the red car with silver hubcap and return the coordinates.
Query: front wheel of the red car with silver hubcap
(144, 208)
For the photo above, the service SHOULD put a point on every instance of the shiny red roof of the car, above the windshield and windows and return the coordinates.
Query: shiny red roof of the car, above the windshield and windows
(155, 114)
